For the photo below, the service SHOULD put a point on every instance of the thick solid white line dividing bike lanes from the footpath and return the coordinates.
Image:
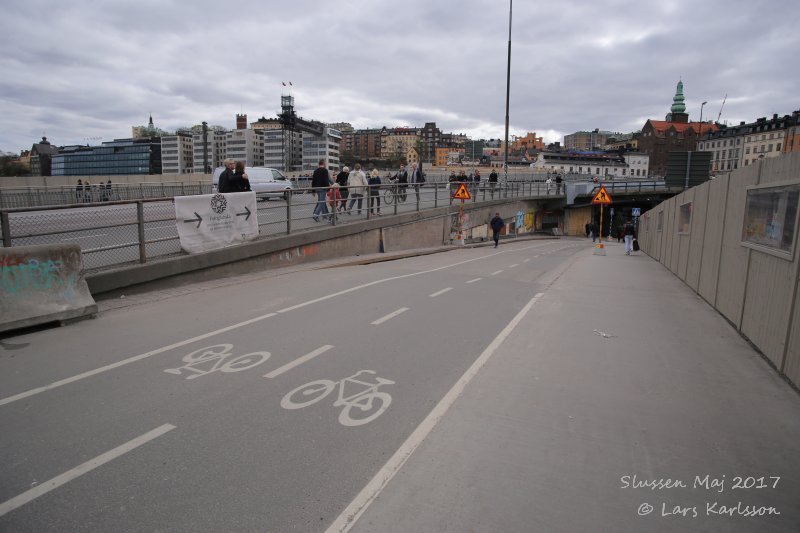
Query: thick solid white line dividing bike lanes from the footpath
(353, 512)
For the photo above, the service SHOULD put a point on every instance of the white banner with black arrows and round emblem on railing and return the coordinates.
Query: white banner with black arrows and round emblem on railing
(211, 221)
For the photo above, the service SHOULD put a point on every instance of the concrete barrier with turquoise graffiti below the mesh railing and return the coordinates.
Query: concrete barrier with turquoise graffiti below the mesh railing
(40, 284)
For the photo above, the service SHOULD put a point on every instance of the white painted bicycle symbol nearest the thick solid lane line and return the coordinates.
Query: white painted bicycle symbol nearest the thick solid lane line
(365, 396)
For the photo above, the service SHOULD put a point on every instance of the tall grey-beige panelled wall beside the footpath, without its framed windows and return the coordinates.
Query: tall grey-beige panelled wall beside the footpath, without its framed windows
(755, 290)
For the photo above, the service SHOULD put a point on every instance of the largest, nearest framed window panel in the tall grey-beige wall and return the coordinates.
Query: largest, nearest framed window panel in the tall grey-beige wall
(770, 218)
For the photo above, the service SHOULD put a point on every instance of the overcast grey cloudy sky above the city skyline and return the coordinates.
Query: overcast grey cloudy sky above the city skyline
(83, 71)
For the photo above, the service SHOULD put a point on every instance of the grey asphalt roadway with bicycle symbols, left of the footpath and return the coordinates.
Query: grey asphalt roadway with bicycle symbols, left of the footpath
(262, 405)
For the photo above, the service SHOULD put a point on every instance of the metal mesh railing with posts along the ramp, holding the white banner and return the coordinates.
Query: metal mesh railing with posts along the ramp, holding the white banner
(116, 233)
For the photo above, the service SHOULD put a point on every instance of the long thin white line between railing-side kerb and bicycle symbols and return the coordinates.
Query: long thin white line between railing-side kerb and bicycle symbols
(129, 360)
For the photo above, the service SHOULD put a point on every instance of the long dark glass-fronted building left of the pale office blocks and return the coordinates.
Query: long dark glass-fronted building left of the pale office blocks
(118, 157)
